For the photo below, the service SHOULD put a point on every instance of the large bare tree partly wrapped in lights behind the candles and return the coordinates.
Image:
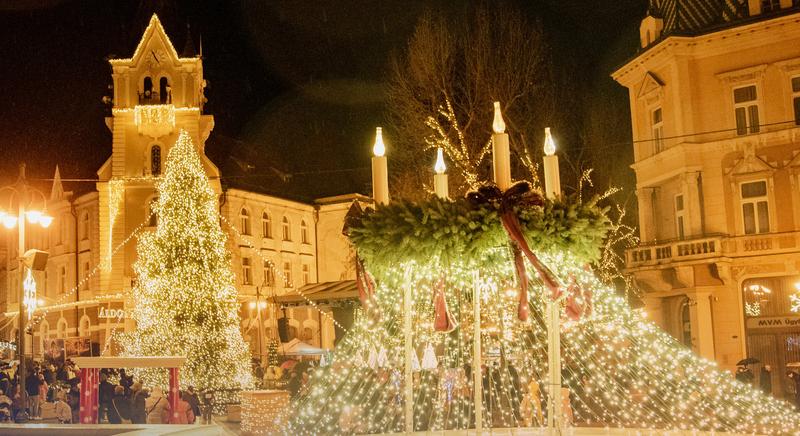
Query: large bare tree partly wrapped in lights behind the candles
(442, 88)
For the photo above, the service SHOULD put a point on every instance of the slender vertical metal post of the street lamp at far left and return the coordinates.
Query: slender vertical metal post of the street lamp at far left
(23, 315)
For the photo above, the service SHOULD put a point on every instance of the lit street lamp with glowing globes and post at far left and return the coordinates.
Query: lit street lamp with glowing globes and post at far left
(33, 260)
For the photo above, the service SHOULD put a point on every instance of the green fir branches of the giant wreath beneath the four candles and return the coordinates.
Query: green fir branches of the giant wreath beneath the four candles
(442, 229)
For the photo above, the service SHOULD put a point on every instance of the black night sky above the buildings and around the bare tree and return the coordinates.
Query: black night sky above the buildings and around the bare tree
(295, 86)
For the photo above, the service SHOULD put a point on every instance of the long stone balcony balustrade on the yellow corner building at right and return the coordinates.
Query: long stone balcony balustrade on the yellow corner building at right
(711, 246)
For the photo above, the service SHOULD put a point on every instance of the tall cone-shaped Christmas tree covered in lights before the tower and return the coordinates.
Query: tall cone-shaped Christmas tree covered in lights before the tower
(185, 300)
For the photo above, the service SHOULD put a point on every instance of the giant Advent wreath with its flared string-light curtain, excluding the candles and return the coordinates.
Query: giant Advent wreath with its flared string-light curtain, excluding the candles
(619, 369)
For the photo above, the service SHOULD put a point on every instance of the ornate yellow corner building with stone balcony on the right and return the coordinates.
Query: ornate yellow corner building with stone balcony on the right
(715, 109)
